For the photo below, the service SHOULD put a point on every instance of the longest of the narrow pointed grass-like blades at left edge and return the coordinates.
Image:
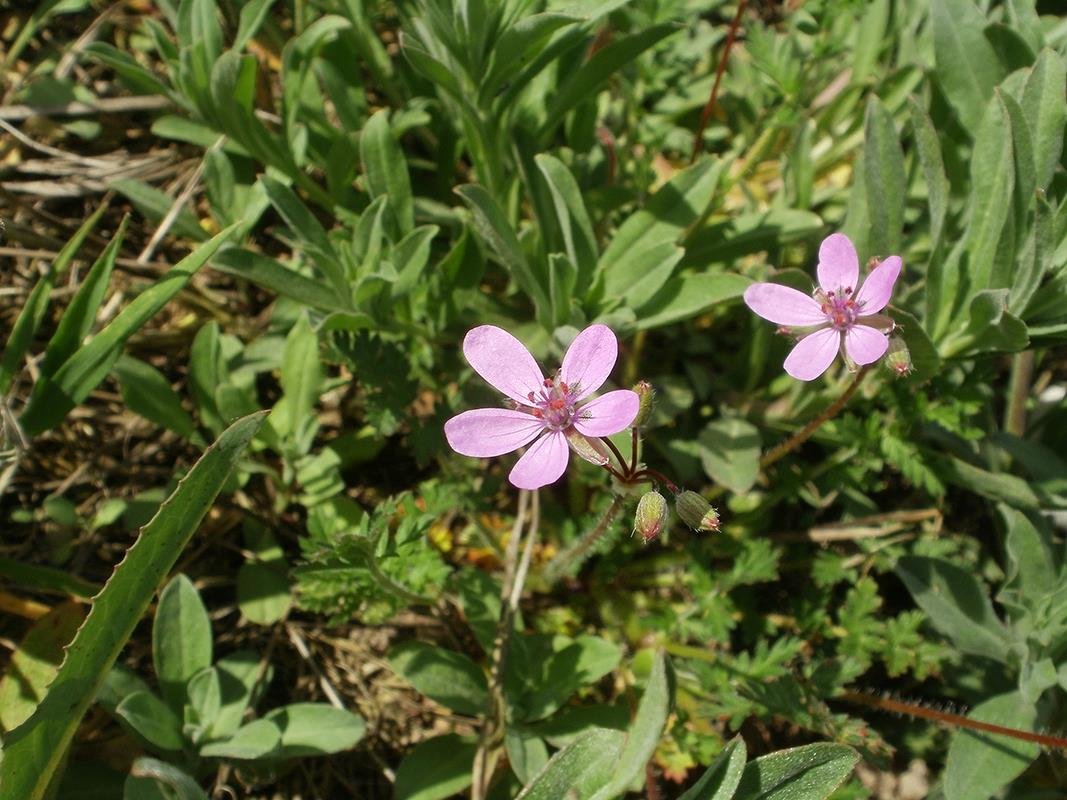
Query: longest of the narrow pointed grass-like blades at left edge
(54, 398)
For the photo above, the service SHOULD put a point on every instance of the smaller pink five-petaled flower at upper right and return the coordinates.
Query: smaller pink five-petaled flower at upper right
(839, 316)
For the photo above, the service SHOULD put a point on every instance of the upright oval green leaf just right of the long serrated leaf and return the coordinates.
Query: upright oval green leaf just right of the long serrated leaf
(181, 639)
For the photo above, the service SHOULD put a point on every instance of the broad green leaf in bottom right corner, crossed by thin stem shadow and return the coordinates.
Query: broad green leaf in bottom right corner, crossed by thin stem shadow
(979, 763)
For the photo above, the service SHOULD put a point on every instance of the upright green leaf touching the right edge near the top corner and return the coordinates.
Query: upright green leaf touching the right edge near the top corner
(1043, 104)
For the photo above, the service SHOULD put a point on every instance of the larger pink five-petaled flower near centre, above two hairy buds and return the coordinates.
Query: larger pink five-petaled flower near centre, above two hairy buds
(550, 410)
